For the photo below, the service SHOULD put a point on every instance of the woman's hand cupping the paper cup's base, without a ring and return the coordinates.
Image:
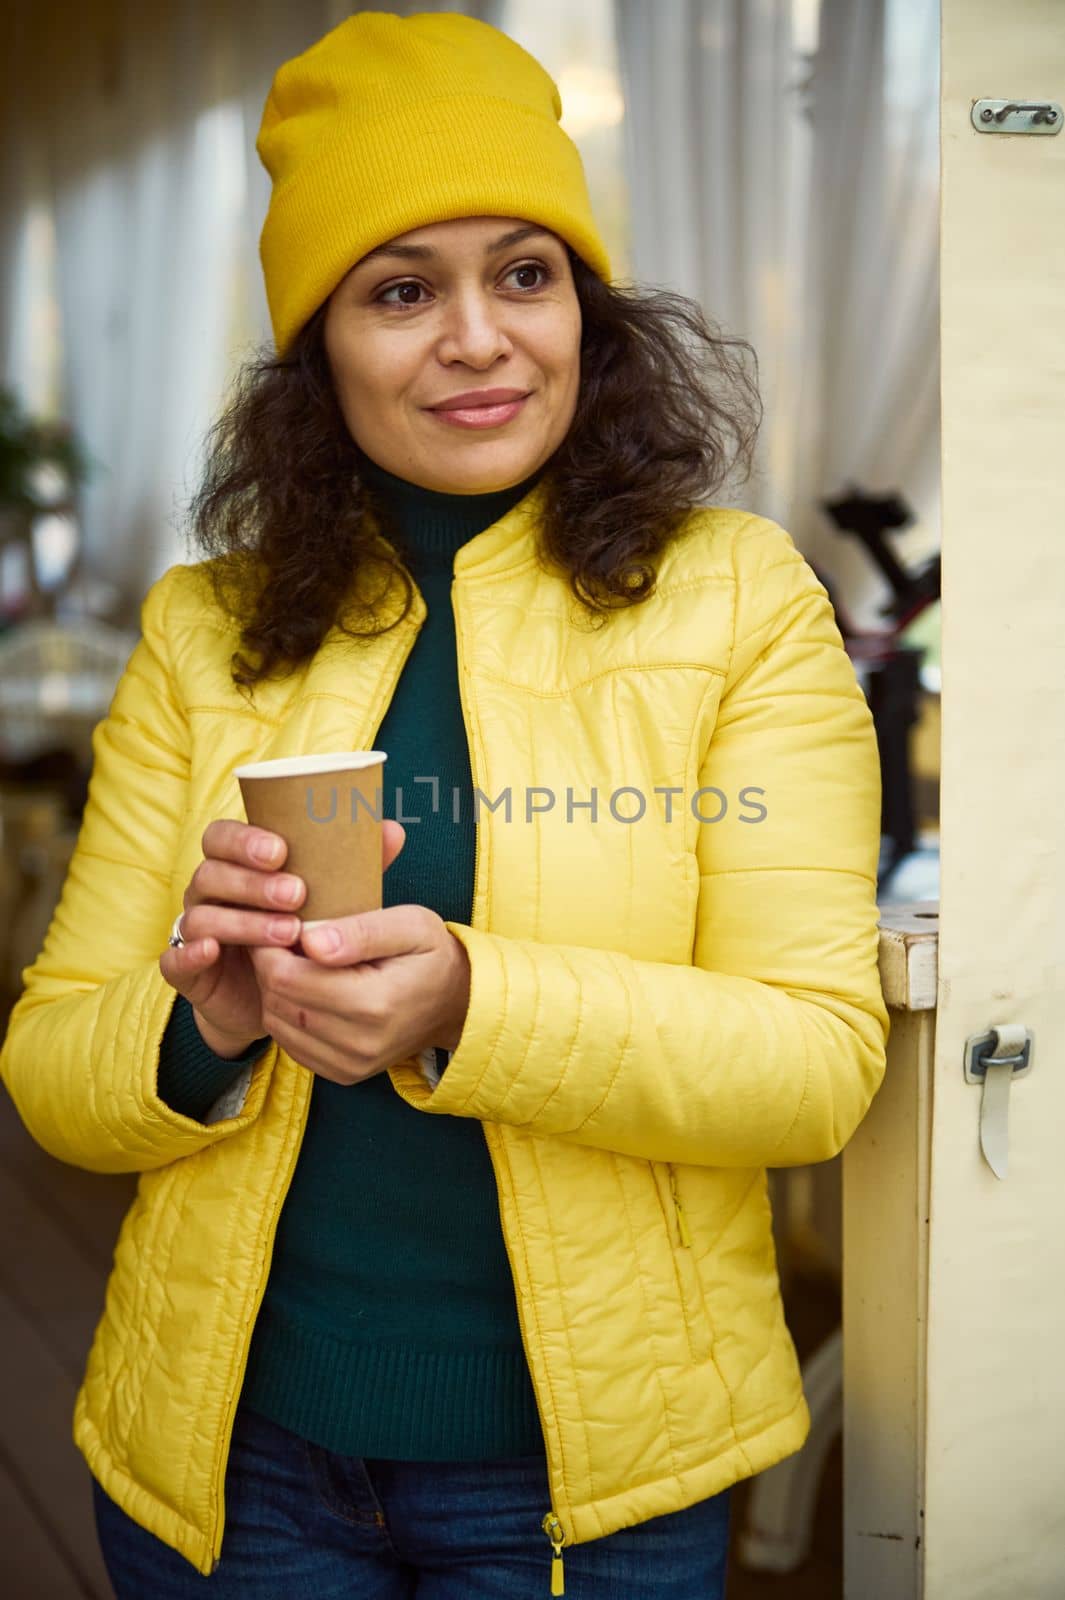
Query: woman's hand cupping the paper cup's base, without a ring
(396, 983)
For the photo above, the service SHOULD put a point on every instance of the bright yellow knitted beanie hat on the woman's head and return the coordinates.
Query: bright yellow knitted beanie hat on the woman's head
(389, 124)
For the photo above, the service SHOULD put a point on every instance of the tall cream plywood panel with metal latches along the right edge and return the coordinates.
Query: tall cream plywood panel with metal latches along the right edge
(995, 1511)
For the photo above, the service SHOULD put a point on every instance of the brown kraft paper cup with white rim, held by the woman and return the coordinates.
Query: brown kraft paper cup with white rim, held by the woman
(329, 810)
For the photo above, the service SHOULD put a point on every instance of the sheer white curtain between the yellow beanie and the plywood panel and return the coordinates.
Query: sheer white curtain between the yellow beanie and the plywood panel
(799, 201)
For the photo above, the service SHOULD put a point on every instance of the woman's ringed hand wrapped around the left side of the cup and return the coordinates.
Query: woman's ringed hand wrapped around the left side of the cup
(239, 902)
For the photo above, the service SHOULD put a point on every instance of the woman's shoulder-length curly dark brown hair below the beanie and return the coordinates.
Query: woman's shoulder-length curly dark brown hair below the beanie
(666, 414)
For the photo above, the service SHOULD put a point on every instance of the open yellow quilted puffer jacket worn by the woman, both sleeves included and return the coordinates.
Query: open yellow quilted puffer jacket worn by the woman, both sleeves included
(660, 1009)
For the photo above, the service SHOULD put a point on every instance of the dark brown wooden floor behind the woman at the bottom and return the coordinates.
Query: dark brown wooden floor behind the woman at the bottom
(55, 1254)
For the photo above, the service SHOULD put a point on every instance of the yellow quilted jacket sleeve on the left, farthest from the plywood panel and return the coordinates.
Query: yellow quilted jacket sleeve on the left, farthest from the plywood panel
(81, 1054)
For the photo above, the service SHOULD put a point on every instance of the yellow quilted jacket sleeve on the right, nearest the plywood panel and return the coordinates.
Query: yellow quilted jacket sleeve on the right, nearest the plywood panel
(768, 1049)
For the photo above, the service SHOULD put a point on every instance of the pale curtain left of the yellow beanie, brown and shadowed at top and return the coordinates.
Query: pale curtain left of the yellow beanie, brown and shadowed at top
(145, 124)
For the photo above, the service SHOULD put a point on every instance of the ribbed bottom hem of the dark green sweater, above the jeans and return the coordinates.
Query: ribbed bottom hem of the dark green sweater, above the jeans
(393, 1402)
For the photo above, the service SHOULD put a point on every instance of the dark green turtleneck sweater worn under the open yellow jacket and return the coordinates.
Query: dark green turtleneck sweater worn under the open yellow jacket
(389, 1326)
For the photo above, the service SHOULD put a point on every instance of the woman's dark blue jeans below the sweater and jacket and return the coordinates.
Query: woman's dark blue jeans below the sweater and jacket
(305, 1524)
